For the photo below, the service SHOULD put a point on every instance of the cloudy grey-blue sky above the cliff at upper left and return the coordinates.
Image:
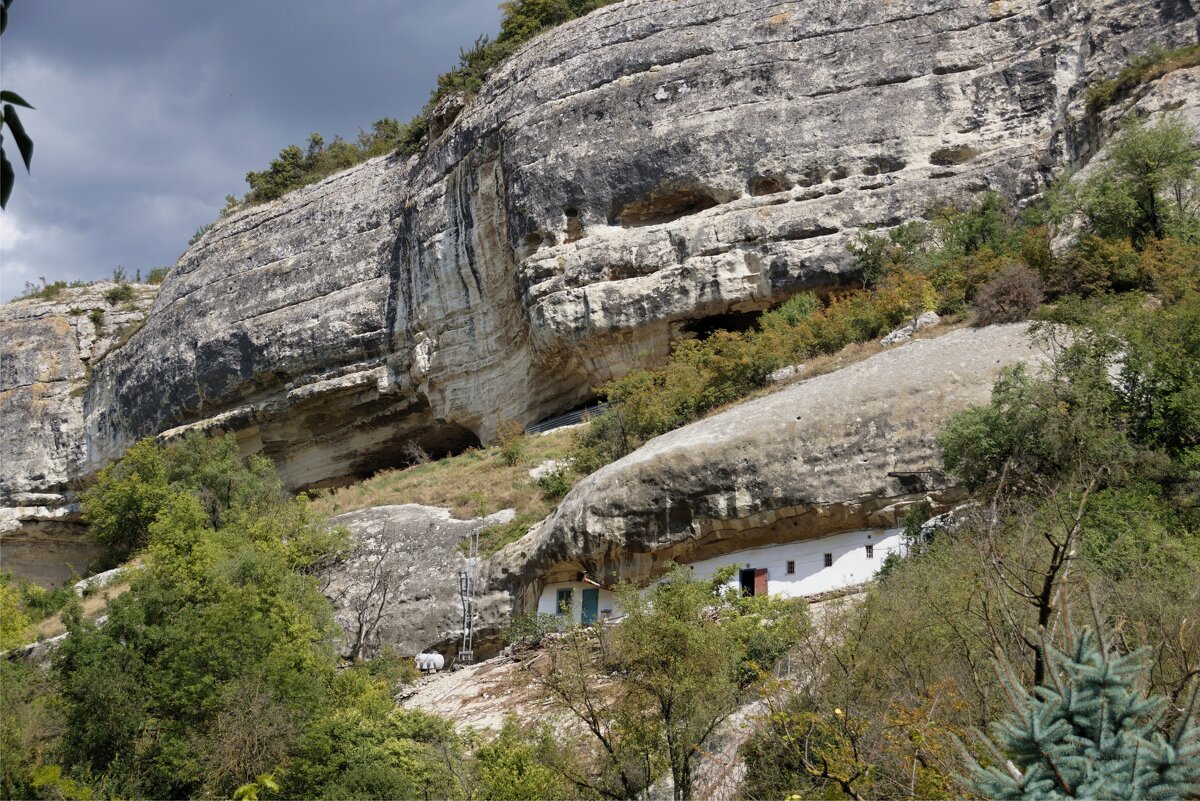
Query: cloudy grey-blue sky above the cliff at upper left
(149, 112)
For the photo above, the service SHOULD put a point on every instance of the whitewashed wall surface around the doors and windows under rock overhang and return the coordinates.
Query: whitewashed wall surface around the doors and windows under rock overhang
(850, 567)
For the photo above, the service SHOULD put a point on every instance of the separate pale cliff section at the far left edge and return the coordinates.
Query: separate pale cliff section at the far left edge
(51, 347)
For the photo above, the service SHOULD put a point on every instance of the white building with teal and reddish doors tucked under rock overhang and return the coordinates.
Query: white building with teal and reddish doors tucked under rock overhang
(790, 570)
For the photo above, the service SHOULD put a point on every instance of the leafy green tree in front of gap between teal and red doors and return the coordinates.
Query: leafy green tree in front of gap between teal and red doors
(653, 691)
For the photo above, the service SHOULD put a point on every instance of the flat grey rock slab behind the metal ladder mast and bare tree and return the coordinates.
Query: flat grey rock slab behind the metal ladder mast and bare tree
(400, 587)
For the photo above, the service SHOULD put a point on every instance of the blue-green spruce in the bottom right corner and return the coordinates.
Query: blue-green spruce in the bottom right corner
(1091, 732)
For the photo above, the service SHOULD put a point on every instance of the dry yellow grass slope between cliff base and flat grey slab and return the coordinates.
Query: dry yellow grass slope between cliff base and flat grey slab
(471, 485)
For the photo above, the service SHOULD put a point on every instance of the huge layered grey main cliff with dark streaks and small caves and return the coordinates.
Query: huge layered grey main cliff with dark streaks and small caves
(616, 183)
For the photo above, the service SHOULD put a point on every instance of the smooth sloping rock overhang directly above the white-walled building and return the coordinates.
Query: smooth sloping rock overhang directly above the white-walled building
(838, 453)
